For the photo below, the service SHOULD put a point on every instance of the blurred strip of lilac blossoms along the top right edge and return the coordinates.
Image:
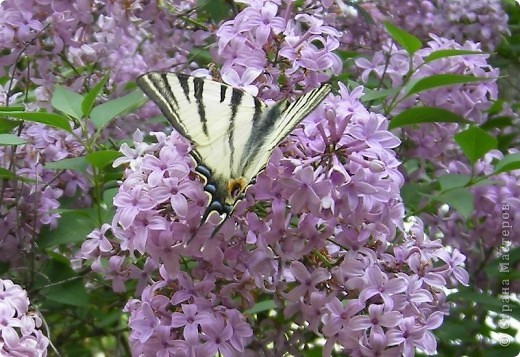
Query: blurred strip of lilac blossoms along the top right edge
(481, 21)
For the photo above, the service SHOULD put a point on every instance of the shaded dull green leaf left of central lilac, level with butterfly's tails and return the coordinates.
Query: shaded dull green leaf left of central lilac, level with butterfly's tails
(73, 227)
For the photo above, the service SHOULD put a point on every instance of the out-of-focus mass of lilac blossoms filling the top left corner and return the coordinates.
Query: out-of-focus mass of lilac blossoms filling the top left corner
(119, 36)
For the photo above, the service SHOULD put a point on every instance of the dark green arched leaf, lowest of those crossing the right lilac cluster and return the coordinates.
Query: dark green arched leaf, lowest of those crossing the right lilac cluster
(419, 115)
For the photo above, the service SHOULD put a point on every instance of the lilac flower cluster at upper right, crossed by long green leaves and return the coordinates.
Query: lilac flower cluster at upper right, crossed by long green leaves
(469, 100)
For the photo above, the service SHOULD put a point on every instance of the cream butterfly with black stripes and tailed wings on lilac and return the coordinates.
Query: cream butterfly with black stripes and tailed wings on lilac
(232, 132)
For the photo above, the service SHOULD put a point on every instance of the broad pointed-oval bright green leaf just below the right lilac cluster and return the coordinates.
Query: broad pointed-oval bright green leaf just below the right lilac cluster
(475, 143)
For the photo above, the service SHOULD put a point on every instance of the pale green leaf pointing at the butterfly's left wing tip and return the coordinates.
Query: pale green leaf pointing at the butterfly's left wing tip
(102, 114)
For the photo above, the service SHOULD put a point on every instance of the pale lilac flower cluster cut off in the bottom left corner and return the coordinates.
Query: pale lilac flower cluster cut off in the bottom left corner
(20, 333)
